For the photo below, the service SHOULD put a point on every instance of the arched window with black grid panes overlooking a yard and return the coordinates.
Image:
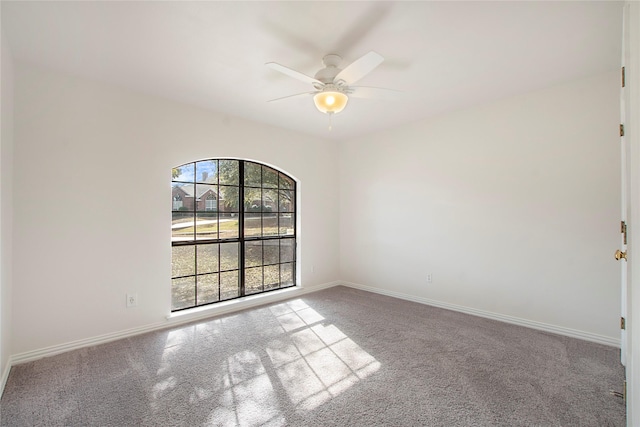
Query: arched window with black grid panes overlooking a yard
(233, 231)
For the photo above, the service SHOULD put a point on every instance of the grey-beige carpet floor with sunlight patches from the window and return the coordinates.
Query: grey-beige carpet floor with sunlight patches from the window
(338, 357)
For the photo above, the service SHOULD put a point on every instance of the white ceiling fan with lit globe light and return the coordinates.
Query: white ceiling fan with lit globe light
(332, 84)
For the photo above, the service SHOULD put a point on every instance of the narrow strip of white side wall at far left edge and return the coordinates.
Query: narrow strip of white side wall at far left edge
(6, 171)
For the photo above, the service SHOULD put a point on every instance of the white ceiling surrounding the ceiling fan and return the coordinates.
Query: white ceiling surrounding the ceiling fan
(442, 55)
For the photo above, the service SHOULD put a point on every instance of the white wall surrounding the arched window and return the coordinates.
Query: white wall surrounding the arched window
(92, 201)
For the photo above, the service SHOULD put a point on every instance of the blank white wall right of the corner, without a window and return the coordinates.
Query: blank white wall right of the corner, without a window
(513, 207)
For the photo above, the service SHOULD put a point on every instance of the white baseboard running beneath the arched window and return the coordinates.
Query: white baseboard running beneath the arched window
(172, 320)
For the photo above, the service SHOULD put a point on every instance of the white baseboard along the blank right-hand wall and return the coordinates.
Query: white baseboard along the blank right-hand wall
(560, 330)
